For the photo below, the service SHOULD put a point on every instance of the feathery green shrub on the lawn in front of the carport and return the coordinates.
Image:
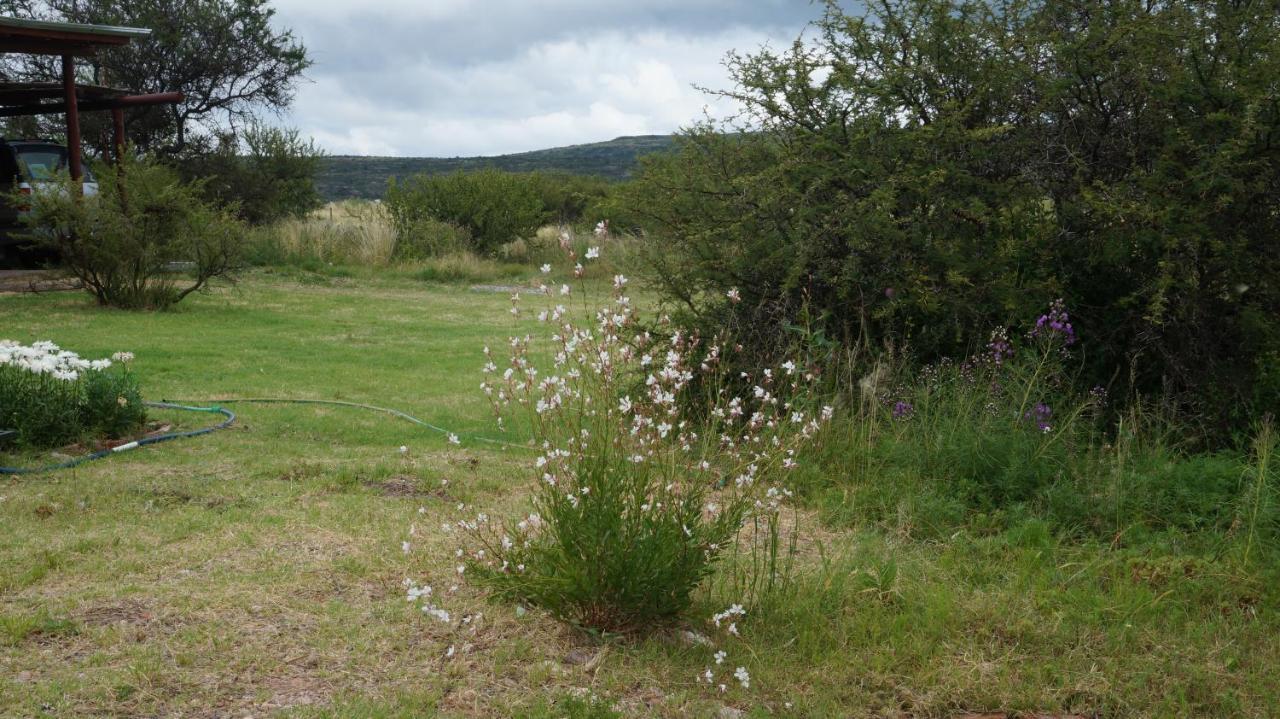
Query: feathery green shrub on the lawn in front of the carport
(126, 242)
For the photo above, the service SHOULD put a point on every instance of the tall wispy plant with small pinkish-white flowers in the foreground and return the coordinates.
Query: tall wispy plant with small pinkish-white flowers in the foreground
(634, 502)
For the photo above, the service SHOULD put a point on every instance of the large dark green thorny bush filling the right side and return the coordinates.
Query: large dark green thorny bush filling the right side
(938, 167)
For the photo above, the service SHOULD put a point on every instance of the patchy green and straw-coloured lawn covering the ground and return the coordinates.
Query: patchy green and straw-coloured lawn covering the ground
(258, 571)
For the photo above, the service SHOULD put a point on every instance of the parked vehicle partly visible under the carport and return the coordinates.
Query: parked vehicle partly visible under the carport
(26, 166)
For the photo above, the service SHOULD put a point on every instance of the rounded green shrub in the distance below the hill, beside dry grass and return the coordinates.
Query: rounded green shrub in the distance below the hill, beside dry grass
(493, 207)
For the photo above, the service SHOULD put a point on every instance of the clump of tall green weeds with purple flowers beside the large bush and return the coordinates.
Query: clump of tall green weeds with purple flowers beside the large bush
(1004, 438)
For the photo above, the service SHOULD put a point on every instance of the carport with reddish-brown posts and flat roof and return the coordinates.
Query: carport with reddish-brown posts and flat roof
(70, 42)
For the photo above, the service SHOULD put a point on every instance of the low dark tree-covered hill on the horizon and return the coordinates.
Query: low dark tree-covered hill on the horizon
(348, 176)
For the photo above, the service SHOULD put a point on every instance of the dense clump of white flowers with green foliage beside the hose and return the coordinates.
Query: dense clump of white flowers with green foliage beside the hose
(53, 397)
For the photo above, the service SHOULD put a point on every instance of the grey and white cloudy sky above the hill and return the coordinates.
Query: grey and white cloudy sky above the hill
(488, 77)
